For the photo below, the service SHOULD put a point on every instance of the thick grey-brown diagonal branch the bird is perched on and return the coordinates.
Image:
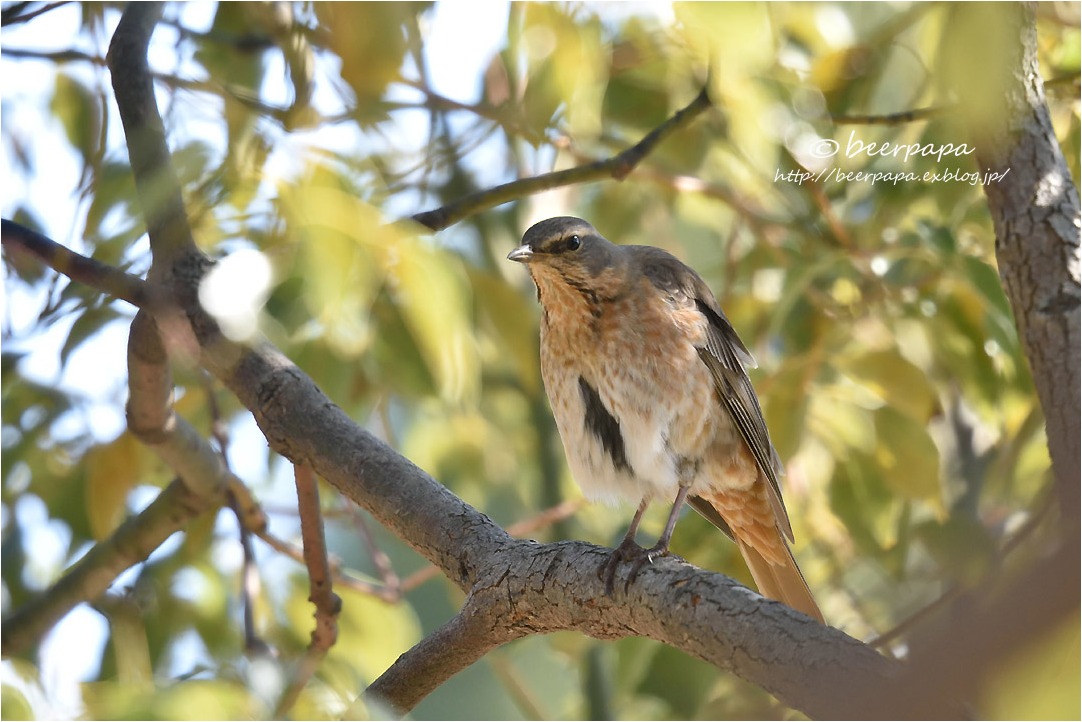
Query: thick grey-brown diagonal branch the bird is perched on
(550, 587)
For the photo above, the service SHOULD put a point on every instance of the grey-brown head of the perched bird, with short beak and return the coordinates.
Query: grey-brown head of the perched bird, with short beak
(568, 248)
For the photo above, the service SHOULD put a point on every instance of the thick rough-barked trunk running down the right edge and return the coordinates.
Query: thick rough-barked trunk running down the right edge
(1038, 224)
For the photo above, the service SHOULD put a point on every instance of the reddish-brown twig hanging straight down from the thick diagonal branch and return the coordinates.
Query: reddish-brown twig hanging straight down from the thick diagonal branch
(328, 605)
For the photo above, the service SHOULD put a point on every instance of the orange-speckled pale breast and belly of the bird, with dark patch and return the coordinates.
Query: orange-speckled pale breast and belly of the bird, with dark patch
(628, 365)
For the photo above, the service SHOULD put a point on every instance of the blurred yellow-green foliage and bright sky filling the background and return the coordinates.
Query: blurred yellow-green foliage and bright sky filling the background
(890, 367)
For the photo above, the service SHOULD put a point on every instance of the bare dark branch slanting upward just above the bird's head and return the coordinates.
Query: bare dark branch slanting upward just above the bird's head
(617, 167)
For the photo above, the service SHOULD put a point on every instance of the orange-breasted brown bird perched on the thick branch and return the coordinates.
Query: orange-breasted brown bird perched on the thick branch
(649, 386)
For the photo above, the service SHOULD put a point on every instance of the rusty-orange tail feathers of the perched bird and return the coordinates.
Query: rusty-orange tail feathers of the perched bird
(753, 522)
